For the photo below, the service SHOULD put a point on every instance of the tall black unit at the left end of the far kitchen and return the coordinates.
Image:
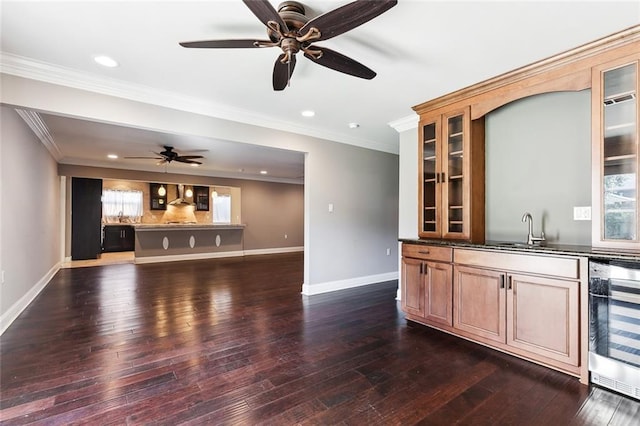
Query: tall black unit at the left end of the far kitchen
(86, 218)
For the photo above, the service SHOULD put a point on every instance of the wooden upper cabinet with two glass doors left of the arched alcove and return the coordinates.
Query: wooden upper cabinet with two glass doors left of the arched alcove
(451, 171)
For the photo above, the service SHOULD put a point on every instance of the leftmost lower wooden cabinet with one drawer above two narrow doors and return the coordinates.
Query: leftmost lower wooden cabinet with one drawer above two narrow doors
(427, 284)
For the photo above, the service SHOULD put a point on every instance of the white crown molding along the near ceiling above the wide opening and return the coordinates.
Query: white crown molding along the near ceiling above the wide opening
(42, 71)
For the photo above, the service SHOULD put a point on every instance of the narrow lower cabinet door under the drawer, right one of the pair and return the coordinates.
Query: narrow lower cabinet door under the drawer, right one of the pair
(438, 293)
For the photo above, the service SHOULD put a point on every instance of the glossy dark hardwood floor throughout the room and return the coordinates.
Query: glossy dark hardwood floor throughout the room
(232, 341)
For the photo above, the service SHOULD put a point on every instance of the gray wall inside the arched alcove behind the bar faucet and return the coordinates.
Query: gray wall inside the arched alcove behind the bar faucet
(538, 159)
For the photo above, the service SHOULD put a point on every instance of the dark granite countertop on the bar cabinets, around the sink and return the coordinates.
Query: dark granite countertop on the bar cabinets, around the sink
(549, 248)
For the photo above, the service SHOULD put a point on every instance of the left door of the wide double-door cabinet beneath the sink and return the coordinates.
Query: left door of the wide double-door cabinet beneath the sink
(479, 305)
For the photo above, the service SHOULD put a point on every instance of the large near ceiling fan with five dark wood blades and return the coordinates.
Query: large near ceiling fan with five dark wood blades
(290, 30)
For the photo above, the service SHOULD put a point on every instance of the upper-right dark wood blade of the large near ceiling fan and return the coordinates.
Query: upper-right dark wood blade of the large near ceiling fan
(347, 17)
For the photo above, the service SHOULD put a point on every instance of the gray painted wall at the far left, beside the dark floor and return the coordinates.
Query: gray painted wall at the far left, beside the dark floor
(29, 210)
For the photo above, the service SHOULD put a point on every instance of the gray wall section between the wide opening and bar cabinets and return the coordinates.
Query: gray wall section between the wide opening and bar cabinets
(362, 186)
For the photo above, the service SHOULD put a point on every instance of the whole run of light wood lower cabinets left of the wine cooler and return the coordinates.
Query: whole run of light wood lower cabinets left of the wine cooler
(529, 305)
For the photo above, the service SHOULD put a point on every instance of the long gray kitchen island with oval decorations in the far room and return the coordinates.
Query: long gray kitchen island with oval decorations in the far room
(187, 241)
